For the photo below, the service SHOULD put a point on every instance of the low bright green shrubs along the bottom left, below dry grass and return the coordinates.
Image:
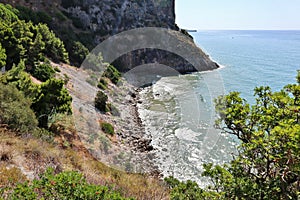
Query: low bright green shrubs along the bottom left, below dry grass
(65, 185)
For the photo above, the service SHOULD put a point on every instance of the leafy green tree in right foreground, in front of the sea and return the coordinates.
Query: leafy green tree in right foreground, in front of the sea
(267, 165)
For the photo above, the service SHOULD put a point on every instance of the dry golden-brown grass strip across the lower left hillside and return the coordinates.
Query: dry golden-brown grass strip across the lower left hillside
(26, 158)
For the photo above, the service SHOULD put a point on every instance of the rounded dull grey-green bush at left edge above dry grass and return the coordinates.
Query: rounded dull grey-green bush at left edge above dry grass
(15, 110)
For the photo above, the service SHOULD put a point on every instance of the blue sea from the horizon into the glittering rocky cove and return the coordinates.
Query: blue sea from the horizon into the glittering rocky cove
(178, 112)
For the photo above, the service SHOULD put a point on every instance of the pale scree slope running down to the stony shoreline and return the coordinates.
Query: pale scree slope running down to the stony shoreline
(130, 148)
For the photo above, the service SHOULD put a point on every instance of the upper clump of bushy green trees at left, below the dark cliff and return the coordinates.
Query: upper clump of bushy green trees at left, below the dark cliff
(25, 41)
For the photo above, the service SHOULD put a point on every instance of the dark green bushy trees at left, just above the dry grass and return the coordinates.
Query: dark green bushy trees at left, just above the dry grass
(47, 98)
